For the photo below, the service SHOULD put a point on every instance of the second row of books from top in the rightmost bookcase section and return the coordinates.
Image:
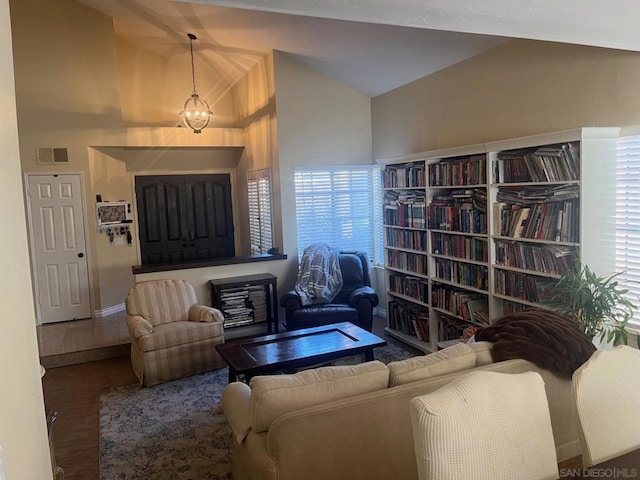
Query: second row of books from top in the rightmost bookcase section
(557, 221)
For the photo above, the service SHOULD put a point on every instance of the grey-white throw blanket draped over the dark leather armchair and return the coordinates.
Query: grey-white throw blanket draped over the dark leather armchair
(319, 277)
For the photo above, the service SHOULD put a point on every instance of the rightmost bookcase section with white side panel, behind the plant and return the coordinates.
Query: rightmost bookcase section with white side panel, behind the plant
(551, 200)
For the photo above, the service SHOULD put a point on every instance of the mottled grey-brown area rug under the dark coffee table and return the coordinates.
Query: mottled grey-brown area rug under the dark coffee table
(174, 430)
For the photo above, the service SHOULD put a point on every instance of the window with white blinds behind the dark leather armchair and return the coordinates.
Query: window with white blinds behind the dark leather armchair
(340, 206)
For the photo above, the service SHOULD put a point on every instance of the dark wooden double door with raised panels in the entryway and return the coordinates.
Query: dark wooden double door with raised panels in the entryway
(184, 217)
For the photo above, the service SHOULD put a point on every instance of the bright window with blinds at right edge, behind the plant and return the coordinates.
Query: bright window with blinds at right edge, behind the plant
(628, 217)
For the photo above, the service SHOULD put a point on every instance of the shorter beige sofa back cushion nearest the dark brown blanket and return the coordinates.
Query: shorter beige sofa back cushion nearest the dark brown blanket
(450, 360)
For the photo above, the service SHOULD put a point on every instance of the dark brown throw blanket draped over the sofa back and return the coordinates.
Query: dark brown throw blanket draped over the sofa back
(548, 339)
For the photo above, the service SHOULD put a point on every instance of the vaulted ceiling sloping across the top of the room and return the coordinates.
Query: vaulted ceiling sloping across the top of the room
(371, 45)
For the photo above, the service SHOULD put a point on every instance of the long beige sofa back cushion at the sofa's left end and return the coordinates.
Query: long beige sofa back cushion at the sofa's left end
(275, 395)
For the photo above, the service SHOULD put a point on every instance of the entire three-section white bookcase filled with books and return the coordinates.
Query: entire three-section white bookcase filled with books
(490, 226)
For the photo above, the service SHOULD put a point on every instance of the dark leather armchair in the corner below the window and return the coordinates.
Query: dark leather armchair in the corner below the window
(354, 303)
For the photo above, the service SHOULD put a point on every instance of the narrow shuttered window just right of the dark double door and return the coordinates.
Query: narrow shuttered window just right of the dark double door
(260, 223)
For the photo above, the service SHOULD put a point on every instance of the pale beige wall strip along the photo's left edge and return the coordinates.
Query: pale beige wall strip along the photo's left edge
(23, 432)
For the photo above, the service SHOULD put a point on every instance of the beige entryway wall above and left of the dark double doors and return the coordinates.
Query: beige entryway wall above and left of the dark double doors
(68, 84)
